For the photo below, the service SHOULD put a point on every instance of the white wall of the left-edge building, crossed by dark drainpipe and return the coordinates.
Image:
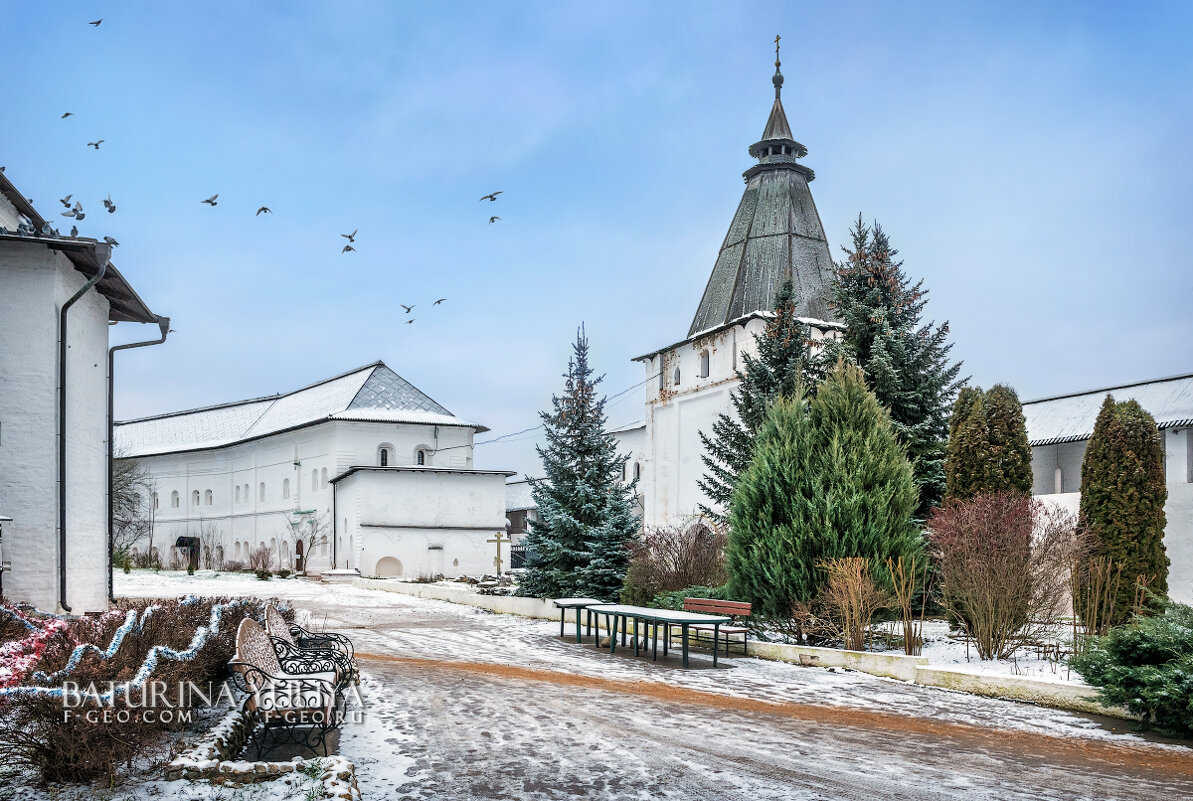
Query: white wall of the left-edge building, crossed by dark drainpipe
(34, 285)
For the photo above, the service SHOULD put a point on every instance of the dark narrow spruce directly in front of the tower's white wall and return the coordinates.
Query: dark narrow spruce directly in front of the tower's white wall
(784, 363)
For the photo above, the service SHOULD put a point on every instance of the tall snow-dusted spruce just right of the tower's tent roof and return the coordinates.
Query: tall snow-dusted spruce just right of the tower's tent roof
(905, 360)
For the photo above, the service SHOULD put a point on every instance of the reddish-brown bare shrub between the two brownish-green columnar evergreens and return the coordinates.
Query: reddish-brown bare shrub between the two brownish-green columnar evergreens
(1004, 565)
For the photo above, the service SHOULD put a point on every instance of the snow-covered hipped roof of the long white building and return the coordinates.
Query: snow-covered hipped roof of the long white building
(373, 393)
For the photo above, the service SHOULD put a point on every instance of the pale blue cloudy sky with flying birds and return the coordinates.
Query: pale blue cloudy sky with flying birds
(1030, 162)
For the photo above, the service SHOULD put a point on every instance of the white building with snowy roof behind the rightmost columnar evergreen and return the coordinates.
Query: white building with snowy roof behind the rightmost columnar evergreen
(1060, 429)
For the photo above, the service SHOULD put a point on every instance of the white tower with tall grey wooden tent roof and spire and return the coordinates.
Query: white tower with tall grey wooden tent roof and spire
(776, 235)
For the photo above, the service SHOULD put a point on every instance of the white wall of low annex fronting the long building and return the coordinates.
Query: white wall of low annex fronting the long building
(411, 523)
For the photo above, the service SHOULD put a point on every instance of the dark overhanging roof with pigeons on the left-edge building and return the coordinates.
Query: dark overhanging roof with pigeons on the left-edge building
(86, 256)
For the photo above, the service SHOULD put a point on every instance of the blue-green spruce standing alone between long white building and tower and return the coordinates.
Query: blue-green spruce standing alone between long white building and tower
(586, 514)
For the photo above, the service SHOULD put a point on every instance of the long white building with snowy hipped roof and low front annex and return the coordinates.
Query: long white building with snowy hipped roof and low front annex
(381, 472)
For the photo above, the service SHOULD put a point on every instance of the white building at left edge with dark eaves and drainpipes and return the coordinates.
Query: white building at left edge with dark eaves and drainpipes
(54, 445)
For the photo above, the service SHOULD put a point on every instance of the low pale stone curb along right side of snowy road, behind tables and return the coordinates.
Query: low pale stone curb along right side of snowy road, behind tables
(1075, 697)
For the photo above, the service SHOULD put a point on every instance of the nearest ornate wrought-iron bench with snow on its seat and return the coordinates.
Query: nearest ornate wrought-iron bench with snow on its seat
(299, 708)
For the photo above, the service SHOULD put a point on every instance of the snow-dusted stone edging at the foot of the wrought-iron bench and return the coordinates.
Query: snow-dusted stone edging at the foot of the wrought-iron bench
(213, 760)
